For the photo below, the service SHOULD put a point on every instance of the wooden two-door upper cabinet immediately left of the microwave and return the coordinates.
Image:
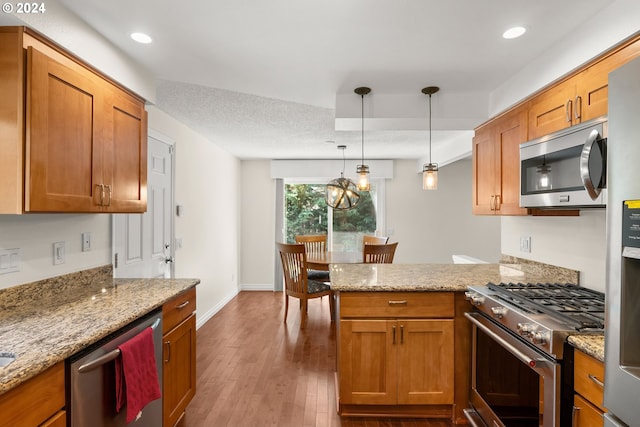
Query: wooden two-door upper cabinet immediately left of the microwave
(496, 165)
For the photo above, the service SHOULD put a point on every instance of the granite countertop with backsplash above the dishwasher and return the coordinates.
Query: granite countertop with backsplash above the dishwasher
(45, 322)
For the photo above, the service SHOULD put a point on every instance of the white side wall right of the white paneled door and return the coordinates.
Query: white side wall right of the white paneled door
(207, 186)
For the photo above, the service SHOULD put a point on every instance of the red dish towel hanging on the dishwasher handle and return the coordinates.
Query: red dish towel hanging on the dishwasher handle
(136, 374)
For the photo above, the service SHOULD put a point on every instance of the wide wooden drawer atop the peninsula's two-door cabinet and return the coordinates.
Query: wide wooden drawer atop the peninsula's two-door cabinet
(397, 304)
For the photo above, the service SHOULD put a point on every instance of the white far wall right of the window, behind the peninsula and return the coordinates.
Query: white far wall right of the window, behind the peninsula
(430, 226)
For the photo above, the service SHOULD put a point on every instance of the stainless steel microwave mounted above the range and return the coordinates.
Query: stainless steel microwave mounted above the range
(566, 169)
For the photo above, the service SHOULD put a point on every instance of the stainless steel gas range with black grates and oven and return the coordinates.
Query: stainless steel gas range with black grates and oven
(519, 334)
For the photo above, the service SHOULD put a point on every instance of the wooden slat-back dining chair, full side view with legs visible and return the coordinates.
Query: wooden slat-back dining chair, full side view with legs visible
(297, 284)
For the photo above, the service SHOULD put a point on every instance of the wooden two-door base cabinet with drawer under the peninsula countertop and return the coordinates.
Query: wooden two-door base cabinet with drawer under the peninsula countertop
(397, 355)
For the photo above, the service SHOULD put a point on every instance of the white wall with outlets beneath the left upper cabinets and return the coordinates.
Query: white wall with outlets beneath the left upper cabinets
(35, 234)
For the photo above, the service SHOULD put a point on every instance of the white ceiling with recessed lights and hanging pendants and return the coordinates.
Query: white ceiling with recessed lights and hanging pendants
(262, 79)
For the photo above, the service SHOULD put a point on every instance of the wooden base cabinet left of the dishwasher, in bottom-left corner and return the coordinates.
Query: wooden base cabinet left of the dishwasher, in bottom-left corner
(39, 401)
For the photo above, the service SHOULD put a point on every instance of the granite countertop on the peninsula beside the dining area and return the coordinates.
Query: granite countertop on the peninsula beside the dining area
(440, 277)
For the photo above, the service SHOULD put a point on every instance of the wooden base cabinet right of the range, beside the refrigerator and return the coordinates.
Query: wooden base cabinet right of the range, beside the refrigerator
(588, 383)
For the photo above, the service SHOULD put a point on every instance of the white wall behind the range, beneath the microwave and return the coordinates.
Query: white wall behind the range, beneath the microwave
(578, 243)
